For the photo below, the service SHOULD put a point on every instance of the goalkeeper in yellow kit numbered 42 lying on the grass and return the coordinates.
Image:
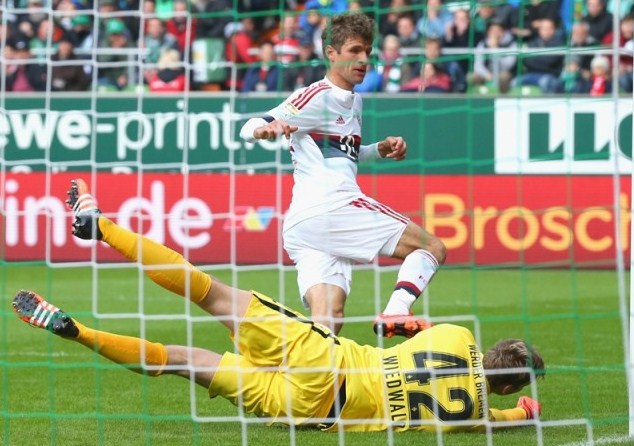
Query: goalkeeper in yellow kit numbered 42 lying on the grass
(292, 370)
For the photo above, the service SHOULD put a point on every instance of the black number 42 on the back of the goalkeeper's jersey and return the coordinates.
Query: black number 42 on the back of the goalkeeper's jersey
(444, 365)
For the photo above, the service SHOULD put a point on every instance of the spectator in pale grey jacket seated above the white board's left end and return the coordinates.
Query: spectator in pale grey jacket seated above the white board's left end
(495, 70)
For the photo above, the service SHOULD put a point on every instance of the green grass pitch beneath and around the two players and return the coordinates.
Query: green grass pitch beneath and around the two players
(57, 392)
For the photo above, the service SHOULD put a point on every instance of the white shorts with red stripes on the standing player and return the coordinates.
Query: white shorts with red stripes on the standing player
(324, 247)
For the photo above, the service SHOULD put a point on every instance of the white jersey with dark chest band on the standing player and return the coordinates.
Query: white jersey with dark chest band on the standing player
(325, 149)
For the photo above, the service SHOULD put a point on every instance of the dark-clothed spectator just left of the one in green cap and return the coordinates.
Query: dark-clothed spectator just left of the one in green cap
(66, 75)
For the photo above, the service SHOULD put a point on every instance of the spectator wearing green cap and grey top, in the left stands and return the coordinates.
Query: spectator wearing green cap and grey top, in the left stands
(114, 69)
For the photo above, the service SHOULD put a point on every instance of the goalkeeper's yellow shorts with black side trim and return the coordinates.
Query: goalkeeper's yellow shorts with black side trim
(287, 365)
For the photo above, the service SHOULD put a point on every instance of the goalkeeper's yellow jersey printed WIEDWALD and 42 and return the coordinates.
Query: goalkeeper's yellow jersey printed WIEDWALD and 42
(436, 376)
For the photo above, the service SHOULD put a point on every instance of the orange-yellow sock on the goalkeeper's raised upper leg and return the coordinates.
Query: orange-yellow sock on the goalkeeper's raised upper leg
(175, 279)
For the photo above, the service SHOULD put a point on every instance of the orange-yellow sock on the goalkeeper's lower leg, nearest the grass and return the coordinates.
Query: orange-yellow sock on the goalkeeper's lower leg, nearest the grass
(124, 350)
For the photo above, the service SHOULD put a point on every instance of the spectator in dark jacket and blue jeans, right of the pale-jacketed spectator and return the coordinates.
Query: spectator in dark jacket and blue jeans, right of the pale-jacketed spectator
(543, 70)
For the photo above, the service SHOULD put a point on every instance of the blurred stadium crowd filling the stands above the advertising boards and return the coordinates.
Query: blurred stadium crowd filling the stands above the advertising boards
(482, 46)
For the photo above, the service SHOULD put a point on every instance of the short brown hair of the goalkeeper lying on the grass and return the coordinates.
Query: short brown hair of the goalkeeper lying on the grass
(512, 354)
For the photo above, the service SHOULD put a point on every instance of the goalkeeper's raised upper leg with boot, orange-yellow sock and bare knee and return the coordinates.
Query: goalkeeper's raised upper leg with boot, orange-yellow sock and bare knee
(163, 265)
